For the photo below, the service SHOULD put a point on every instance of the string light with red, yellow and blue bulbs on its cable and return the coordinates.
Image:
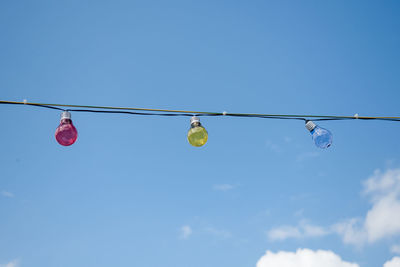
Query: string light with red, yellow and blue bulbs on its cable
(66, 133)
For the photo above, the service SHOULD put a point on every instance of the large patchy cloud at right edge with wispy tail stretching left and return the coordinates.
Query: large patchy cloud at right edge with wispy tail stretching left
(381, 221)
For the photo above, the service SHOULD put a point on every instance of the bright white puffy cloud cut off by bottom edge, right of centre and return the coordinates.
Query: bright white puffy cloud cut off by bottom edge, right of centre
(303, 258)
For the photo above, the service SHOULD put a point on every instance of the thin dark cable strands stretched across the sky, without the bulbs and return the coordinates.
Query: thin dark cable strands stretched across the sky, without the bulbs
(186, 113)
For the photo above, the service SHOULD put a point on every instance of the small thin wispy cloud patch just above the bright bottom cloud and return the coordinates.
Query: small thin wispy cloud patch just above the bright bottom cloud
(303, 230)
